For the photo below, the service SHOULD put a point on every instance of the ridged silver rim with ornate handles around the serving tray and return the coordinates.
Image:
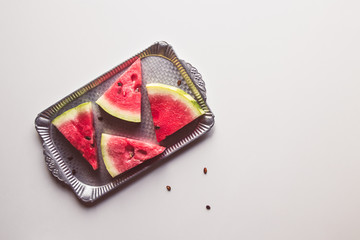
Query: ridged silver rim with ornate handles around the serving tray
(59, 169)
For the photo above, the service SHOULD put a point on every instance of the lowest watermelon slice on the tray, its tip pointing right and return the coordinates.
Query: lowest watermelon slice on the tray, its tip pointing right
(121, 154)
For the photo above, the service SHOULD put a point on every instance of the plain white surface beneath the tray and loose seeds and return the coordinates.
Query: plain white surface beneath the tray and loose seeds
(282, 78)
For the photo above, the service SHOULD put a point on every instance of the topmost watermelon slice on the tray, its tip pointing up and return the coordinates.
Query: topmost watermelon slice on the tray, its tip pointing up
(123, 98)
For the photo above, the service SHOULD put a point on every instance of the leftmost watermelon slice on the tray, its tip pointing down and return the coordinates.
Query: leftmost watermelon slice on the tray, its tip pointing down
(77, 126)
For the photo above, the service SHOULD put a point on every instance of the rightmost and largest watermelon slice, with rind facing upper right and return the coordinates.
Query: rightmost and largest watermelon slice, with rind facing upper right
(171, 108)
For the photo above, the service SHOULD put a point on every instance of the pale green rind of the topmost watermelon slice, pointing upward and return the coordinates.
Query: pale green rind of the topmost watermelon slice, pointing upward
(117, 112)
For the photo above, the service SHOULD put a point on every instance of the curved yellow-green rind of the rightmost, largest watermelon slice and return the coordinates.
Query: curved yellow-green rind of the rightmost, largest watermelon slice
(159, 88)
